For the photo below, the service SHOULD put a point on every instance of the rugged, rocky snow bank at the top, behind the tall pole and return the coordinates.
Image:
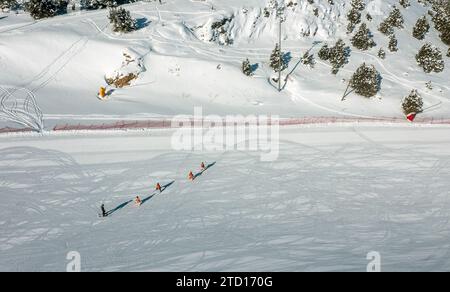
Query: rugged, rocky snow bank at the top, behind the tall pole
(253, 22)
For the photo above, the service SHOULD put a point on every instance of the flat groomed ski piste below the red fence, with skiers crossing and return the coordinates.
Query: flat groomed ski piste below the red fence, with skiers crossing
(335, 194)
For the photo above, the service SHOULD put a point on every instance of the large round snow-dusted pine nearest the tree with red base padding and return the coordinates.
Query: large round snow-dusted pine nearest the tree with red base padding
(366, 81)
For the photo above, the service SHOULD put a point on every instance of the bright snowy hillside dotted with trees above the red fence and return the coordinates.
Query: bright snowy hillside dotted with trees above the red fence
(64, 60)
